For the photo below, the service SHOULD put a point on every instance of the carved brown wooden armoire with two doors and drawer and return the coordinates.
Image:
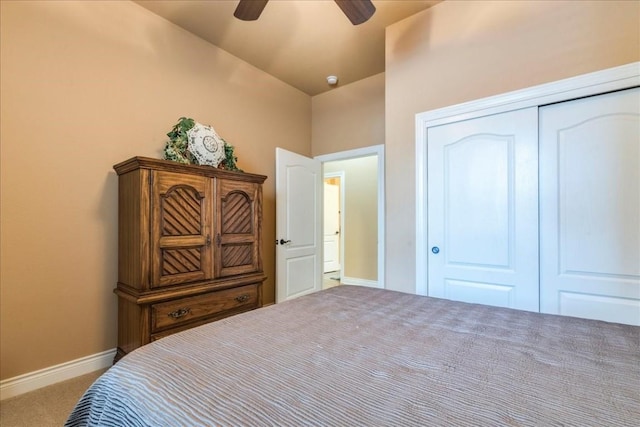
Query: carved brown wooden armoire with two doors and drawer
(189, 247)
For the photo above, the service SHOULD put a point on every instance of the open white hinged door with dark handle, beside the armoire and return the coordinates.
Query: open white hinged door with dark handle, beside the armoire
(298, 225)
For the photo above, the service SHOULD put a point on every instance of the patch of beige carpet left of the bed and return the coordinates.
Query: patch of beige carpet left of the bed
(48, 406)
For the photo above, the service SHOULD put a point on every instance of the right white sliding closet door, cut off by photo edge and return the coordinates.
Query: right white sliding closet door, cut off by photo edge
(590, 207)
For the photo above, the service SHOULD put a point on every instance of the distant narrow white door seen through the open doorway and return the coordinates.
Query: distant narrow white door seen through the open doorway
(331, 227)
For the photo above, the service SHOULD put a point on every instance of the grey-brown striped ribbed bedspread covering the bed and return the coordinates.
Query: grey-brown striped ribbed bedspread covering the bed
(354, 356)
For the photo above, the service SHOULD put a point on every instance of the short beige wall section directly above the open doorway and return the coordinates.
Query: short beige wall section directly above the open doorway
(349, 117)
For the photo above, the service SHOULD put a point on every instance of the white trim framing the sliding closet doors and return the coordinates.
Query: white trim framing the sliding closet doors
(611, 79)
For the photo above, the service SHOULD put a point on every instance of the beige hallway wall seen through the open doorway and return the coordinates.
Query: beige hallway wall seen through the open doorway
(360, 212)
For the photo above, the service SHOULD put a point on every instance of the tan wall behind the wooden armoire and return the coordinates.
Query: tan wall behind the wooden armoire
(85, 85)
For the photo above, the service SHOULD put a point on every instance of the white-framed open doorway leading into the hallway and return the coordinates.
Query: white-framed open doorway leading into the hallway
(353, 234)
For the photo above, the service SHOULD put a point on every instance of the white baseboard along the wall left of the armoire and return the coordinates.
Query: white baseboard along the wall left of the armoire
(34, 380)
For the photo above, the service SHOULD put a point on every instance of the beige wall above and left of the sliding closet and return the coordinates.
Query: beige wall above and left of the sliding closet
(459, 51)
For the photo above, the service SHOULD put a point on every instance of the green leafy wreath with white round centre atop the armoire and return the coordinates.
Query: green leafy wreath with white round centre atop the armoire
(194, 143)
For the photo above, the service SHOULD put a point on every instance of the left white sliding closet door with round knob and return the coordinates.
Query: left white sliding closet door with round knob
(483, 210)
